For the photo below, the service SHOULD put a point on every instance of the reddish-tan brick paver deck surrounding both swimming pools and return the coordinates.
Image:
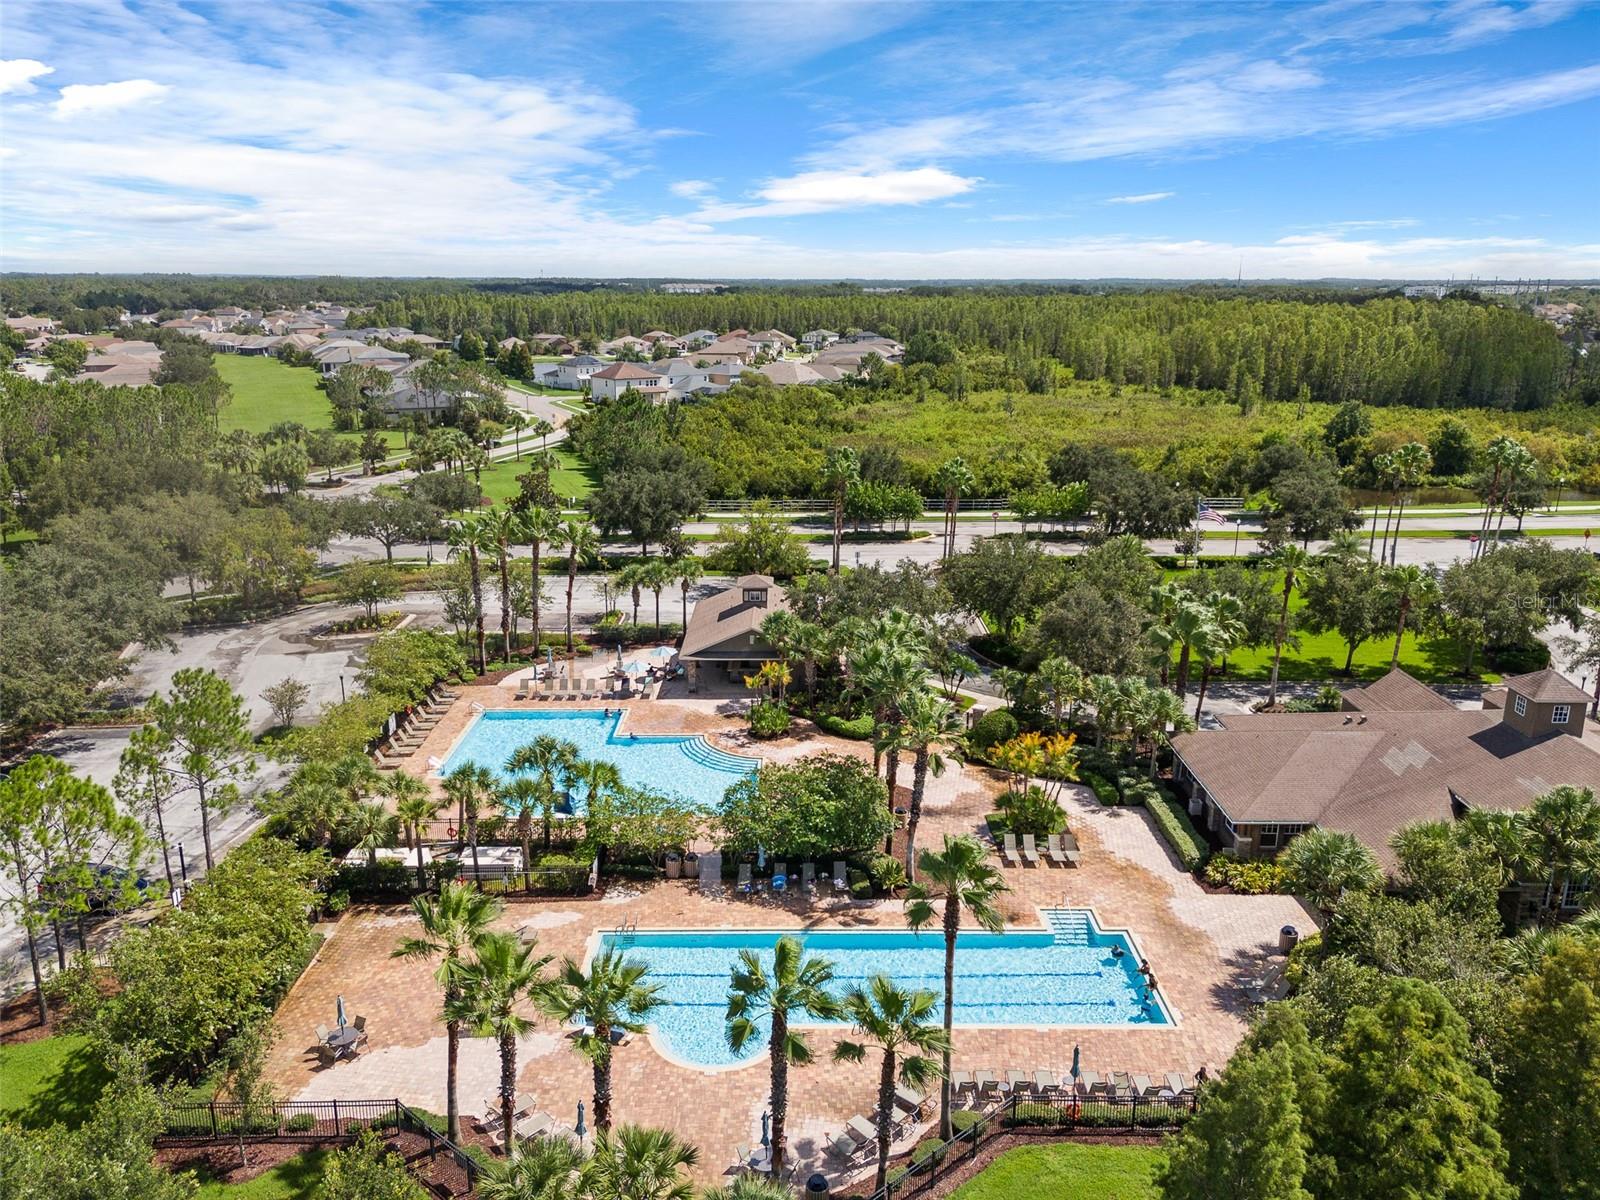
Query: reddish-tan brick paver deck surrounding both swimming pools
(1204, 950)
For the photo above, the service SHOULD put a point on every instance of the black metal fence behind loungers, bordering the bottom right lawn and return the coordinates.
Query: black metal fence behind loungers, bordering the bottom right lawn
(1055, 1116)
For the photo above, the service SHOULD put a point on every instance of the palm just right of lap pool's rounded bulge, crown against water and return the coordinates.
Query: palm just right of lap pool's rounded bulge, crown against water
(798, 986)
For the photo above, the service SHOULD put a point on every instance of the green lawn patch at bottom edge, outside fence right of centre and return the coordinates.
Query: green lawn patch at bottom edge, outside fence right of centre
(1068, 1172)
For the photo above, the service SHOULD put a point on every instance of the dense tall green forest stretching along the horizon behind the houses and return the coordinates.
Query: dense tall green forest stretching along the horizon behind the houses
(1428, 354)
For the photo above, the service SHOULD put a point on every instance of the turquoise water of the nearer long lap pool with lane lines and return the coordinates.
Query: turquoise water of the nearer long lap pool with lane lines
(1068, 978)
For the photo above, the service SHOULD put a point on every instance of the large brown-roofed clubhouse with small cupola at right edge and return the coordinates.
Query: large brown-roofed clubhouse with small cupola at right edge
(1398, 754)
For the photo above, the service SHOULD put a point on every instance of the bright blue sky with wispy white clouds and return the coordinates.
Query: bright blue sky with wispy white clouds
(818, 140)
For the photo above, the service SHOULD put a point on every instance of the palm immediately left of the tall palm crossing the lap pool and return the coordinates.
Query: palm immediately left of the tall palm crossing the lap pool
(895, 1022)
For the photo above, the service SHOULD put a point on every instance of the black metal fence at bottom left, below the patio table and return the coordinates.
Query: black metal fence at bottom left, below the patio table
(310, 1122)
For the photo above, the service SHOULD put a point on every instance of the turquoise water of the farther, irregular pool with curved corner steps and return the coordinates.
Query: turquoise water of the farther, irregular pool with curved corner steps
(690, 769)
